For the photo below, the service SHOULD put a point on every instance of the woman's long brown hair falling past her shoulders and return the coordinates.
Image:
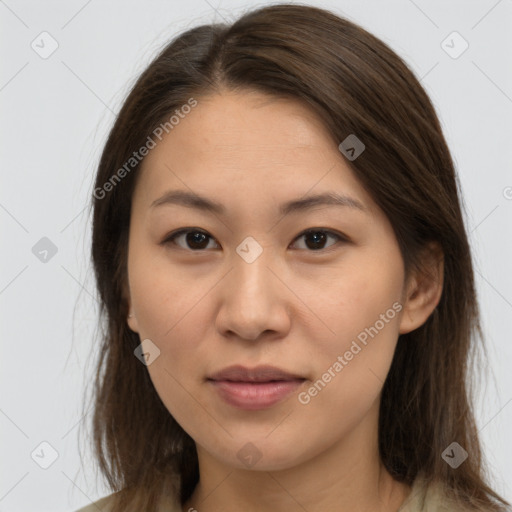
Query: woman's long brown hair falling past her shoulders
(357, 85)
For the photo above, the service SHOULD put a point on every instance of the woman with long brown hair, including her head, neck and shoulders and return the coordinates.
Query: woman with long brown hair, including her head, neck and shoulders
(285, 279)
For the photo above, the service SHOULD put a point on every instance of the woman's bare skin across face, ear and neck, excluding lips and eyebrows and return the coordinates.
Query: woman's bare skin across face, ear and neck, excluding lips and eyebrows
(294, 307)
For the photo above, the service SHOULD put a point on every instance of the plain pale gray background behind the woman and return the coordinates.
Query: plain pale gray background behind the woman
(55, 115)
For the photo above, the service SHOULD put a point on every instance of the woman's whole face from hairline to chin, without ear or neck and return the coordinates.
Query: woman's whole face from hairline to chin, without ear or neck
(247, 287)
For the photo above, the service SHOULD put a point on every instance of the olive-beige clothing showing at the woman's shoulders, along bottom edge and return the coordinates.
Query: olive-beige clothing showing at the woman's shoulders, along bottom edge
(421, 499)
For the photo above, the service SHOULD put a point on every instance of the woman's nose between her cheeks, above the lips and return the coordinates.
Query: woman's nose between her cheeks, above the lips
(253, 301)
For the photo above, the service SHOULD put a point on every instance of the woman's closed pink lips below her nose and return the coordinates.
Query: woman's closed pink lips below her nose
(253, 389)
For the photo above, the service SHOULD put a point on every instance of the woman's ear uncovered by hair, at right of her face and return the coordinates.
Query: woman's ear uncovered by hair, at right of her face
(423, 288)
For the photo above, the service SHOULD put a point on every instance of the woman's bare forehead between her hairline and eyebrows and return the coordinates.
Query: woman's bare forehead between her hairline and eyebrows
(250, 144)
